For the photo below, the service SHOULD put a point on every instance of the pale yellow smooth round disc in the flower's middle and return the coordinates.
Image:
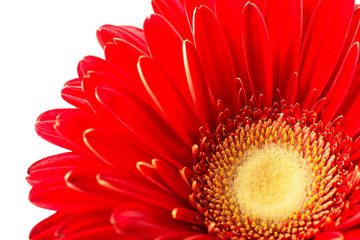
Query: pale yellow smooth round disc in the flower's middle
(271, 182)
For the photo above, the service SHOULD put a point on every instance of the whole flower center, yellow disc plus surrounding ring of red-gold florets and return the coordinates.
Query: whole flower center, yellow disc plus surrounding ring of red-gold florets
(265, 174)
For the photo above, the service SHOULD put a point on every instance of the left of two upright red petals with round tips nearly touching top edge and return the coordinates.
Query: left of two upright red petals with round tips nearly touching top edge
(215, 57)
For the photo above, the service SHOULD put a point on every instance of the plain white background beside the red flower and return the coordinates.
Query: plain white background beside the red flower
(41, 42)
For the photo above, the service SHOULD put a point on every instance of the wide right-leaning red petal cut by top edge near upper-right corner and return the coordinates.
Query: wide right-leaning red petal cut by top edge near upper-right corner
(322, 46)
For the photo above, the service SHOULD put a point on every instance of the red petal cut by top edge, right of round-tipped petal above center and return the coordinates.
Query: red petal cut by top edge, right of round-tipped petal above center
(284, 24)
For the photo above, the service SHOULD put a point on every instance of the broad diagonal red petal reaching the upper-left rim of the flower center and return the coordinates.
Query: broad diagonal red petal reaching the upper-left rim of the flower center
(156, 134)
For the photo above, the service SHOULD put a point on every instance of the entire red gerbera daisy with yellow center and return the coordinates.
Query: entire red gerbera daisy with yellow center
(221, 119)
